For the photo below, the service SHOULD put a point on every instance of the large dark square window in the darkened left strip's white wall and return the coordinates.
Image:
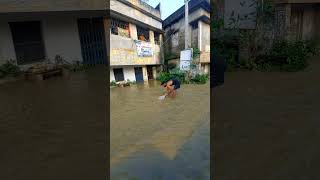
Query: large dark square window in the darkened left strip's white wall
(28, 42)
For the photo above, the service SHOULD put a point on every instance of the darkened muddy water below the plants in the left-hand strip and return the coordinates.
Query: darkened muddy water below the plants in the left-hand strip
(54, 129)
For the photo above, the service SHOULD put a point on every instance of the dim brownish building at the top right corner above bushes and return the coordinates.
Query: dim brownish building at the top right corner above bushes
(298, 19)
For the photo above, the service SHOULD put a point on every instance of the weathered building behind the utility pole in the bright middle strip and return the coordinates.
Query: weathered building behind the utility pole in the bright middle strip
(199, 32)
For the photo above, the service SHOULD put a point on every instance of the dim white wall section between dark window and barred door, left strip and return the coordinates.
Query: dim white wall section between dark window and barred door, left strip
(61, 37)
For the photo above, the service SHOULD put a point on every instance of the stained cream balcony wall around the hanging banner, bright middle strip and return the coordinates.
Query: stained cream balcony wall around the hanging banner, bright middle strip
(124, 53)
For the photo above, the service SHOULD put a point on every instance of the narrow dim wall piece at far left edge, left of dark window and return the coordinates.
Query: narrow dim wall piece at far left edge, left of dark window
(7, 51)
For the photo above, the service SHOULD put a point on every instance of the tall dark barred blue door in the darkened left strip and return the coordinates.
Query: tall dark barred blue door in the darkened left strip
(93, 42)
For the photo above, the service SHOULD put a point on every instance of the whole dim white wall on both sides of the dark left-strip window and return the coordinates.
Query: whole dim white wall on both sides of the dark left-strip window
(60, 35)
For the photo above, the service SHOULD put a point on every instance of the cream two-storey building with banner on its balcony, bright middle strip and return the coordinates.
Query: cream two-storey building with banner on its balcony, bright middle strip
(135, 41)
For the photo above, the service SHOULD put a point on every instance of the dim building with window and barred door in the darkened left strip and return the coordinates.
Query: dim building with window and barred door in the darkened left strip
(32, 31)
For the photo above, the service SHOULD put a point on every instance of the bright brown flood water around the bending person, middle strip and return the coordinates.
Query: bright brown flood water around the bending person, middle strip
(153, 139)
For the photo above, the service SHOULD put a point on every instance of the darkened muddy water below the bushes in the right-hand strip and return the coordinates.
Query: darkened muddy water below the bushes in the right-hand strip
(267, 125)
